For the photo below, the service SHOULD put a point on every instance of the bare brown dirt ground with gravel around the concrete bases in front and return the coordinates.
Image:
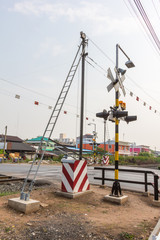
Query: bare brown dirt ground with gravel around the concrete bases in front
(86, 217)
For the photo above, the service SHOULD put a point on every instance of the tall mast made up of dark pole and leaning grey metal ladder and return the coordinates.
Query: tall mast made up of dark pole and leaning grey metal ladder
(25, 192)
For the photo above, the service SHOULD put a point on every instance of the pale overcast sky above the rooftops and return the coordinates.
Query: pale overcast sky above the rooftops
(38, 42)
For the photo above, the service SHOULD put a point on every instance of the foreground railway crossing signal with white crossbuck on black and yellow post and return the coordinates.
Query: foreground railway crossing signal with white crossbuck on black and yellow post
(117, 113)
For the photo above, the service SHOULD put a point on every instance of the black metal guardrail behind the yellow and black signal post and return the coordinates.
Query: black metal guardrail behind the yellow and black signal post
(145, 183)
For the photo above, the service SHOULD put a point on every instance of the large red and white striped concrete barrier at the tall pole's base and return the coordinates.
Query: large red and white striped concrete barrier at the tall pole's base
(74, 176)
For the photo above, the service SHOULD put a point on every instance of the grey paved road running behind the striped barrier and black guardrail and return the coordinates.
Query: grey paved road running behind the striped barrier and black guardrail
(53, 173)
